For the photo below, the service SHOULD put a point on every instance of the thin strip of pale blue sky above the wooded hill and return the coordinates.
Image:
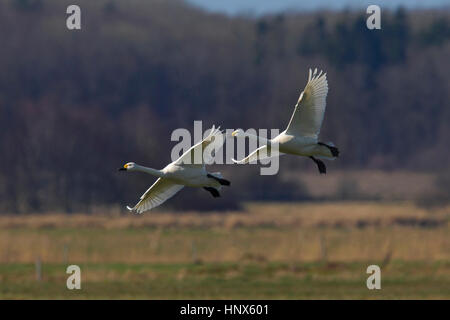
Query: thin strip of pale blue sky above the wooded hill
(259, 7)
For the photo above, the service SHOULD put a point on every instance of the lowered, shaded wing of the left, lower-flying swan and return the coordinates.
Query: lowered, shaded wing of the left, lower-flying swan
(157, 194)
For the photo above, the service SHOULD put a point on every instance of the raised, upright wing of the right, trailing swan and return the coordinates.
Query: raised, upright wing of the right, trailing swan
(310, 108)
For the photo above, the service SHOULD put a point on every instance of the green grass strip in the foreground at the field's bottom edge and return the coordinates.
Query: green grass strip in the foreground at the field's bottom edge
(400, 280)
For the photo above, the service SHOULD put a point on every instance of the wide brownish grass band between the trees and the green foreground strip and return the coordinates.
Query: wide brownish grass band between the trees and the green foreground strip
(264, 232)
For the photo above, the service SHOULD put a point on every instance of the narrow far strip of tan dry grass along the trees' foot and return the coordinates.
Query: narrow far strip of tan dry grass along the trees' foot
(279, 215)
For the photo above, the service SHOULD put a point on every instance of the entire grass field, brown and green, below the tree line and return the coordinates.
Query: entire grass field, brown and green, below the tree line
(268, 251)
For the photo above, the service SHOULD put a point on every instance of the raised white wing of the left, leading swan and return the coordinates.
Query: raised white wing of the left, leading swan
(204, 151)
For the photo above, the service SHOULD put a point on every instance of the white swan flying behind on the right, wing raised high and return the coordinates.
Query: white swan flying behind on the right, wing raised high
(302, 134)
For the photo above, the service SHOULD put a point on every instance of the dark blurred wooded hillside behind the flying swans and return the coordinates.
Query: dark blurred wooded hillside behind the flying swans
(75, 105)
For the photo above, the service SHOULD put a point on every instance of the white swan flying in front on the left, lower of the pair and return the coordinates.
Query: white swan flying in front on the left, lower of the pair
(182, 172)
